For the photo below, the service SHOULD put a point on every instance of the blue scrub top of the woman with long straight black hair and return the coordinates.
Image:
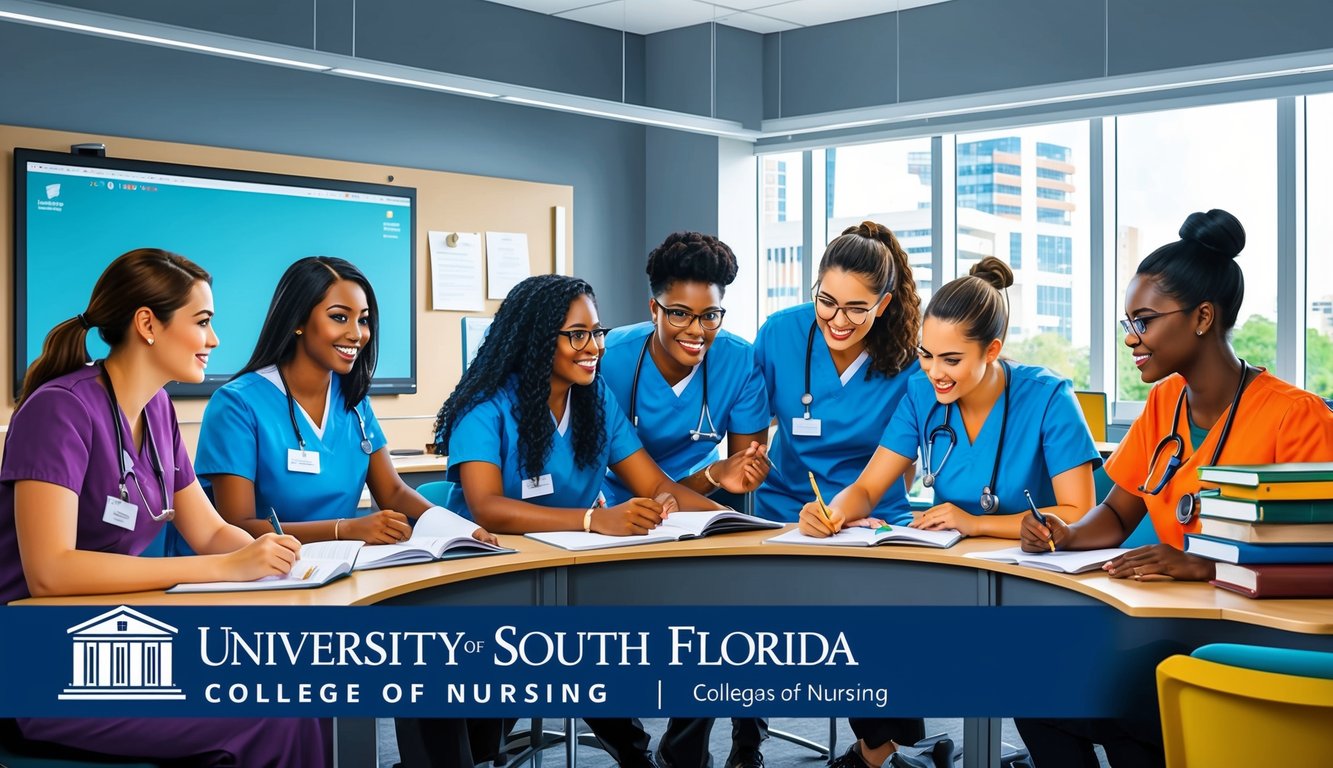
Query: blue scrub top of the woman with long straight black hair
(247, 433)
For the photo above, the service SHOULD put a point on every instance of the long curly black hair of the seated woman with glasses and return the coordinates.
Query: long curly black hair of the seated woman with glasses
(522, 346)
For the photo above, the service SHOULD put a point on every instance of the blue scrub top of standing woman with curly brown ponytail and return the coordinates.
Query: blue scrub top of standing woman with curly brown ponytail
(854, 418)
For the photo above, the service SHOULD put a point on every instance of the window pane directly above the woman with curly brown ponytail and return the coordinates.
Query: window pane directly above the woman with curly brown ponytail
(888, 183)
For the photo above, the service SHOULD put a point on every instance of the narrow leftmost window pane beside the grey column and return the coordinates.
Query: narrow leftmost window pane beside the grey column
(780, 238)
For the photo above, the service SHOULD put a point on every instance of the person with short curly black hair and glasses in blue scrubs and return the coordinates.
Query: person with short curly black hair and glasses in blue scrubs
(687, 385)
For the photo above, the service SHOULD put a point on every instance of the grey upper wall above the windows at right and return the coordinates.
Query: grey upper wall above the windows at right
(979, 46)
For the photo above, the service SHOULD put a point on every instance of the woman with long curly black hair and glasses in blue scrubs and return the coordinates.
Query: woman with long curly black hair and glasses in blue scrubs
(531, 431)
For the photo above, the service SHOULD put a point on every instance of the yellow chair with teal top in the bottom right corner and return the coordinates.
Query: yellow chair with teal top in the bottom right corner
(1280, 699)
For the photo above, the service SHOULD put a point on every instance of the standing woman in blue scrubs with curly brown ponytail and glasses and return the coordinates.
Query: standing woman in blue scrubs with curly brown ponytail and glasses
(835, 371)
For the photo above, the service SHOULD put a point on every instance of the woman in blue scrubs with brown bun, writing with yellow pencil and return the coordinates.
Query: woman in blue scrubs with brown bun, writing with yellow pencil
(987, 430)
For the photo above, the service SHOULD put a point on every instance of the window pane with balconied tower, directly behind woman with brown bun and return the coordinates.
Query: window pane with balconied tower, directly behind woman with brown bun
(1028, 166)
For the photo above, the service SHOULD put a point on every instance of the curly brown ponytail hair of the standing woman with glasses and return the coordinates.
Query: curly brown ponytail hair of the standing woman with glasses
(871, 251)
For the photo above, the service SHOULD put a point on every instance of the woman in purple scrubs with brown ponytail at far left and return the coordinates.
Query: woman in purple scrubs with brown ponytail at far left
(94, 467)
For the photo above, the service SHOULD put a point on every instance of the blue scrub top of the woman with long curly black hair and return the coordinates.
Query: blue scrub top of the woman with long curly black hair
(490, 433)
